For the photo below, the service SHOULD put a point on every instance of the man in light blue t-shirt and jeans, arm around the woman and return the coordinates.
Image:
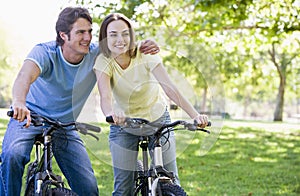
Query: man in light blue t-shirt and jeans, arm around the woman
(55, 80)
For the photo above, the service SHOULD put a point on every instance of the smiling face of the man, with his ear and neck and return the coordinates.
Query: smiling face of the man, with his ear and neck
(77, 43)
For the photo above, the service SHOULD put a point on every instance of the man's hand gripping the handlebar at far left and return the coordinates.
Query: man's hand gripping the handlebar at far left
(21, 112)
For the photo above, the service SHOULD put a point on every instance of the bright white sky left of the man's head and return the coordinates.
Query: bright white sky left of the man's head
(26, 23)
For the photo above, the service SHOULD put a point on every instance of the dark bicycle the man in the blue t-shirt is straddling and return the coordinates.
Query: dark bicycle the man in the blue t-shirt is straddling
(40, 177)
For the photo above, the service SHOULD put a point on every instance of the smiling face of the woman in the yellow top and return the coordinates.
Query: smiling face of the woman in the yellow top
(118, 37)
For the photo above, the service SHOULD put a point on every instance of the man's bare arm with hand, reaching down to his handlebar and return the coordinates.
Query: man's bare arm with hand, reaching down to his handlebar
(26, 76)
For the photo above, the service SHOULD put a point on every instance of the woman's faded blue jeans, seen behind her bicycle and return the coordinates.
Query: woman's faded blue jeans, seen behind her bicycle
(124, 150)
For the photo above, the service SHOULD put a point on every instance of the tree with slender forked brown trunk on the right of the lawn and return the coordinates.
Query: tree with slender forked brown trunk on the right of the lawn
(278, 22)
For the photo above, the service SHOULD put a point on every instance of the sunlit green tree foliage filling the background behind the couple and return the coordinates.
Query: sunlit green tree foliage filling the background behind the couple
(249, 46)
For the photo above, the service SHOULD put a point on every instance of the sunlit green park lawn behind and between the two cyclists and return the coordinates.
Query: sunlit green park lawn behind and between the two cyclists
(249, 158)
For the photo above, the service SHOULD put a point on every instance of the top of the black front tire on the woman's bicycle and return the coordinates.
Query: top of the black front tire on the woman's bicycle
(170, 189)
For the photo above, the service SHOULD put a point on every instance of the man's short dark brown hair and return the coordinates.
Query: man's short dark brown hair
(67, 18)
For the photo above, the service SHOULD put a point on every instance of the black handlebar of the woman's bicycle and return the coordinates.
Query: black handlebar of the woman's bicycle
(140, 121)
